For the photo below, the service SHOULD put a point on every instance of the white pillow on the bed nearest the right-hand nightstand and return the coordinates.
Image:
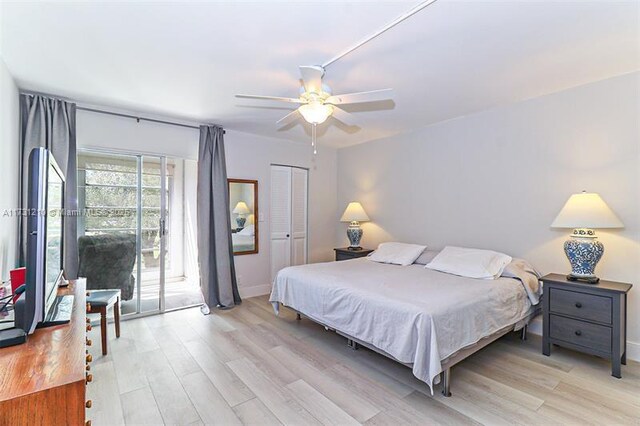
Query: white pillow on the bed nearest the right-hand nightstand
(472, 263)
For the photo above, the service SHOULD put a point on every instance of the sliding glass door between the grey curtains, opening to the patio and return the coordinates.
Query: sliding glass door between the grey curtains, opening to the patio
(132, 228)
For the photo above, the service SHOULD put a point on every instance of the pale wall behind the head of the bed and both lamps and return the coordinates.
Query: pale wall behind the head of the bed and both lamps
(497, 179)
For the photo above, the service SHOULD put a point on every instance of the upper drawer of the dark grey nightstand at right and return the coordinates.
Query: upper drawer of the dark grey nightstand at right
(580, 305)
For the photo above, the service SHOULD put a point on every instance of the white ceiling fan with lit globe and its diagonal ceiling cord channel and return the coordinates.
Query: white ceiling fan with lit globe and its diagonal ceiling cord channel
(317, 102)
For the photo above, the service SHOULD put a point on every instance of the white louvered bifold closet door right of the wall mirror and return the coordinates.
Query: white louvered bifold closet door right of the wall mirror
(288, 218)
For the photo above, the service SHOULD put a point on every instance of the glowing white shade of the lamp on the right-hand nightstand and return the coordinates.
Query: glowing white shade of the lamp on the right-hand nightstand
(586, 210)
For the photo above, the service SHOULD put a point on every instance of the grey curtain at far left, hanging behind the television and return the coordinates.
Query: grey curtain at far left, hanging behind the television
(51, 123)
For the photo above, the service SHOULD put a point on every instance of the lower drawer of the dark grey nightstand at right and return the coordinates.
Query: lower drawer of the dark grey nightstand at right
(581, 333)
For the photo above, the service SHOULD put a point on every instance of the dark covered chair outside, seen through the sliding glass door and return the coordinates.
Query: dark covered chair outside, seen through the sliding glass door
(106, 261)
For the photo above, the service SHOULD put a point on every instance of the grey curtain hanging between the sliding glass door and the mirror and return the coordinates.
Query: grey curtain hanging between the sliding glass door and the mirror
(215, 251)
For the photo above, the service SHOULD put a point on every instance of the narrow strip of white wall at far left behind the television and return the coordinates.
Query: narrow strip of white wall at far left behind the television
(10, 169)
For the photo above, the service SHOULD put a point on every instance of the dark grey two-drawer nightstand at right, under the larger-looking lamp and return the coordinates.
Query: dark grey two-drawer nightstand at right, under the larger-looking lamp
(590, 318)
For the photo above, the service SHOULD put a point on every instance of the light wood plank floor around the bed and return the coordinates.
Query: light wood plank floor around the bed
(246, 366)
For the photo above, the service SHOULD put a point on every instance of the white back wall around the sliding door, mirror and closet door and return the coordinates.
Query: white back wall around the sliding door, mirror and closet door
(248, 157)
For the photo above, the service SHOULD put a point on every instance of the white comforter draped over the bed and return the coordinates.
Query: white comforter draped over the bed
(417, 315)
